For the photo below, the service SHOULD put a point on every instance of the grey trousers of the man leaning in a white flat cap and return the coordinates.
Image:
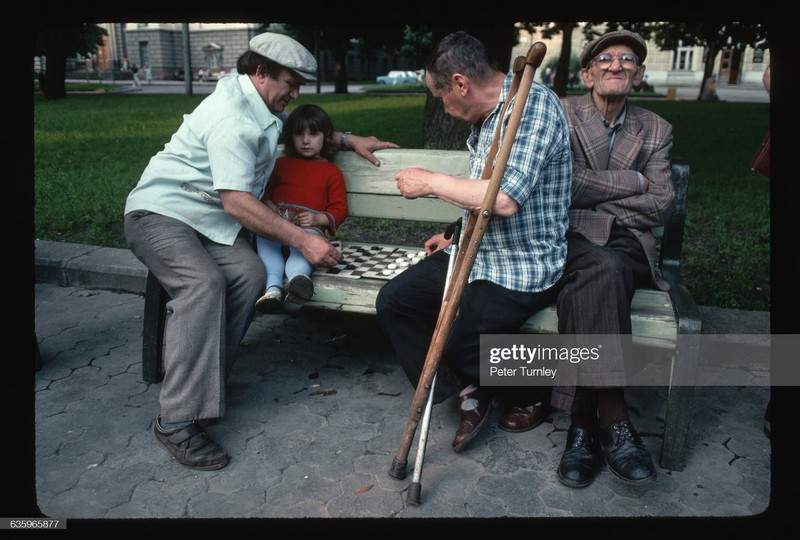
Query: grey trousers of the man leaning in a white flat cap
(213, 289)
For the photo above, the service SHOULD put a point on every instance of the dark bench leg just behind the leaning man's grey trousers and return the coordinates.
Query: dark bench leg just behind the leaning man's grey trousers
(155, 318)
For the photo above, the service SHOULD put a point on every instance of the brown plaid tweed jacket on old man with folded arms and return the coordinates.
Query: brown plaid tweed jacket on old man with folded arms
(605, 185)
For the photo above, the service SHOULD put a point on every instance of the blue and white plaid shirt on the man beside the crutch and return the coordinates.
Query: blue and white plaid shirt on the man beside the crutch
(526, 252)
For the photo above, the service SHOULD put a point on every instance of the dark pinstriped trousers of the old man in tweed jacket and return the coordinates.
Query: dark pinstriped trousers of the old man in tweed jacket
(595, 297)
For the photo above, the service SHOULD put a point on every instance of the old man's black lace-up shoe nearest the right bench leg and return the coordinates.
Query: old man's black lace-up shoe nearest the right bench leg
(626, 455)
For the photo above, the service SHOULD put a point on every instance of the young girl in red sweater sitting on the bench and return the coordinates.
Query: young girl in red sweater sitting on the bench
(309, 190)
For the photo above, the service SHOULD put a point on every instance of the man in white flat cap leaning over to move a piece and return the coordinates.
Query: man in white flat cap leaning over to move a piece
(189, 220)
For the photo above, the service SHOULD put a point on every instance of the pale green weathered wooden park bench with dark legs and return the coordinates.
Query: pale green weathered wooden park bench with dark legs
(658, 317)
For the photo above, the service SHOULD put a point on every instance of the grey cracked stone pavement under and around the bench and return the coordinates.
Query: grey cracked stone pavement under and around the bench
(316, 408)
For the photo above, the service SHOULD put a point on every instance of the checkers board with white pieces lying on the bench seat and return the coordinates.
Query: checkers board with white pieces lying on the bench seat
(374, 262)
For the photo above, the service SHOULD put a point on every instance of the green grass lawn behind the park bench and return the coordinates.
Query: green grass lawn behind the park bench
(89, 151)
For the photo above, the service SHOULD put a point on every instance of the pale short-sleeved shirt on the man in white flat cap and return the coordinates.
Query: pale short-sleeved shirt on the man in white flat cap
(228, 142)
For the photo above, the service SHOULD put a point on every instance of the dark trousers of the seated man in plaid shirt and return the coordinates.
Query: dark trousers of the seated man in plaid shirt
(408, 308)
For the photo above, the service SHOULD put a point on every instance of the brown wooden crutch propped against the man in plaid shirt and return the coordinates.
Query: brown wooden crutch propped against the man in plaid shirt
(524, 70)
